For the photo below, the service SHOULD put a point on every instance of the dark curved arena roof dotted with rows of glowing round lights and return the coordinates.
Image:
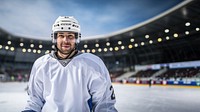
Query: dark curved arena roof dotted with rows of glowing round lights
(169, 37)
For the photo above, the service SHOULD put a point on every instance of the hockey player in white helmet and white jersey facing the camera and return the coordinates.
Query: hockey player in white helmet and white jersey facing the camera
(67, 80)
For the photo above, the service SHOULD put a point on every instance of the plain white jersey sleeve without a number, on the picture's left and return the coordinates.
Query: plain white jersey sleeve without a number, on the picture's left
(35, 91)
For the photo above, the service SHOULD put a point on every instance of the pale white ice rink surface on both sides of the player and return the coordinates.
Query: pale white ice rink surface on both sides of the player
(130, 98)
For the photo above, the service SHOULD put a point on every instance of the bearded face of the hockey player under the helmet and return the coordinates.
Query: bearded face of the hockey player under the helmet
(66, 41)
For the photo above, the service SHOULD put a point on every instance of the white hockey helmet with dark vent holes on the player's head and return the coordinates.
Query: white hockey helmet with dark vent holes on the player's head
(66, 23)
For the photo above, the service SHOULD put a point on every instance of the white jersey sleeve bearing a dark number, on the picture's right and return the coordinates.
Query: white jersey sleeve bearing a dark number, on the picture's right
(102, 91)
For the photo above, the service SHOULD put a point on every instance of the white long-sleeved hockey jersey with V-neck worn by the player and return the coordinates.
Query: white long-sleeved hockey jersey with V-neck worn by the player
(80, 85)
